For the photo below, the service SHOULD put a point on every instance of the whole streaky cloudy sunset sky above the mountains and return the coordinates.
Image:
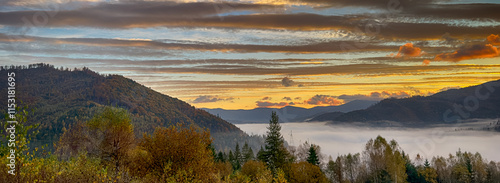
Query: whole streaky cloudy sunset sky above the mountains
(263, 53)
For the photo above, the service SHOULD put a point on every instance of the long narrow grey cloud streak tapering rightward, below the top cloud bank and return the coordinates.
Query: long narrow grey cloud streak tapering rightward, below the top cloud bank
(322, 47)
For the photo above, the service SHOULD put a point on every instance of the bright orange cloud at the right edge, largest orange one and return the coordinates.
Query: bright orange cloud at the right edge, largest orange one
(469, 52)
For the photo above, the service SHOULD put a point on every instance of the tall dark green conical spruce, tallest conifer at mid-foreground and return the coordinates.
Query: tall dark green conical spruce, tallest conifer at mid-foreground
(276, 155)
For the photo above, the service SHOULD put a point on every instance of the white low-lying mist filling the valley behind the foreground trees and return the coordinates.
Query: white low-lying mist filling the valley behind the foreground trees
(428, 142)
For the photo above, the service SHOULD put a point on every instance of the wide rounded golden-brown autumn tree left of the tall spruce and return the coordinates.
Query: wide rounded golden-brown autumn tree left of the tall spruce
(180, 154)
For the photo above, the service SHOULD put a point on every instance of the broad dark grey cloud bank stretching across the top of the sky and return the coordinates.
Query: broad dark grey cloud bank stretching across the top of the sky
(206, 14)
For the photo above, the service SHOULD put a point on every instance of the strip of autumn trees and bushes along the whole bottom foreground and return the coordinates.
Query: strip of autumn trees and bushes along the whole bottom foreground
(105, 149)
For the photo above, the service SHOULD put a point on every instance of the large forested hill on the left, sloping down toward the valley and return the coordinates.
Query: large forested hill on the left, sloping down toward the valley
(61, 97)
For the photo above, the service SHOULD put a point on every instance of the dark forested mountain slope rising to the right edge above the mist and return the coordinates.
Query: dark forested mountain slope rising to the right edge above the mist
(474, 102)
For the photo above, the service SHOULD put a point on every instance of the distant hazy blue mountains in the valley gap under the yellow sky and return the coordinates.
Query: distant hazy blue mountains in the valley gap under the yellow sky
(286, 114)
